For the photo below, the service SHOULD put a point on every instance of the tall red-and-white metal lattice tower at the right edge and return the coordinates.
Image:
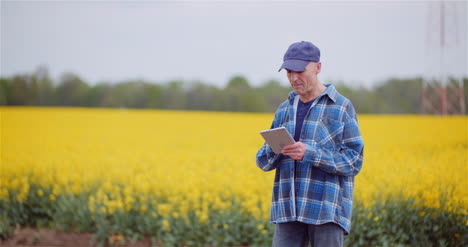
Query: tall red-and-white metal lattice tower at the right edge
(446, 58)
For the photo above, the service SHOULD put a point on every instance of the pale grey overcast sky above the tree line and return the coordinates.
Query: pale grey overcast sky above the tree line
(361, 42)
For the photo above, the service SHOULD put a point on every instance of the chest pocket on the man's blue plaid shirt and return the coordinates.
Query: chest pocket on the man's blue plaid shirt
(329, 133)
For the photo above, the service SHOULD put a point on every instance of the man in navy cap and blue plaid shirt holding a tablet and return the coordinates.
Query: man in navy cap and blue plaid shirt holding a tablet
(313, 187)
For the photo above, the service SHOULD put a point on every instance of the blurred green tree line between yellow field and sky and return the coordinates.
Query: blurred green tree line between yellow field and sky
(393, 96)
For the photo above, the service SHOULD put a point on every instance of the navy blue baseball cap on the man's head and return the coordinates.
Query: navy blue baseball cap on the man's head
(299, 55)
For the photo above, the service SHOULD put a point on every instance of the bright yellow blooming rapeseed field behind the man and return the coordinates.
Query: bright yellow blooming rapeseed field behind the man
(176, 162)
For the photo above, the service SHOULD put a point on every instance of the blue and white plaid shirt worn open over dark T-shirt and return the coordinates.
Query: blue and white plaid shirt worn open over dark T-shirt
(318, 189)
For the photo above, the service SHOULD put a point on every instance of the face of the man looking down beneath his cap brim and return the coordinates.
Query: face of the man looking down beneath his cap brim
(303, 82)
